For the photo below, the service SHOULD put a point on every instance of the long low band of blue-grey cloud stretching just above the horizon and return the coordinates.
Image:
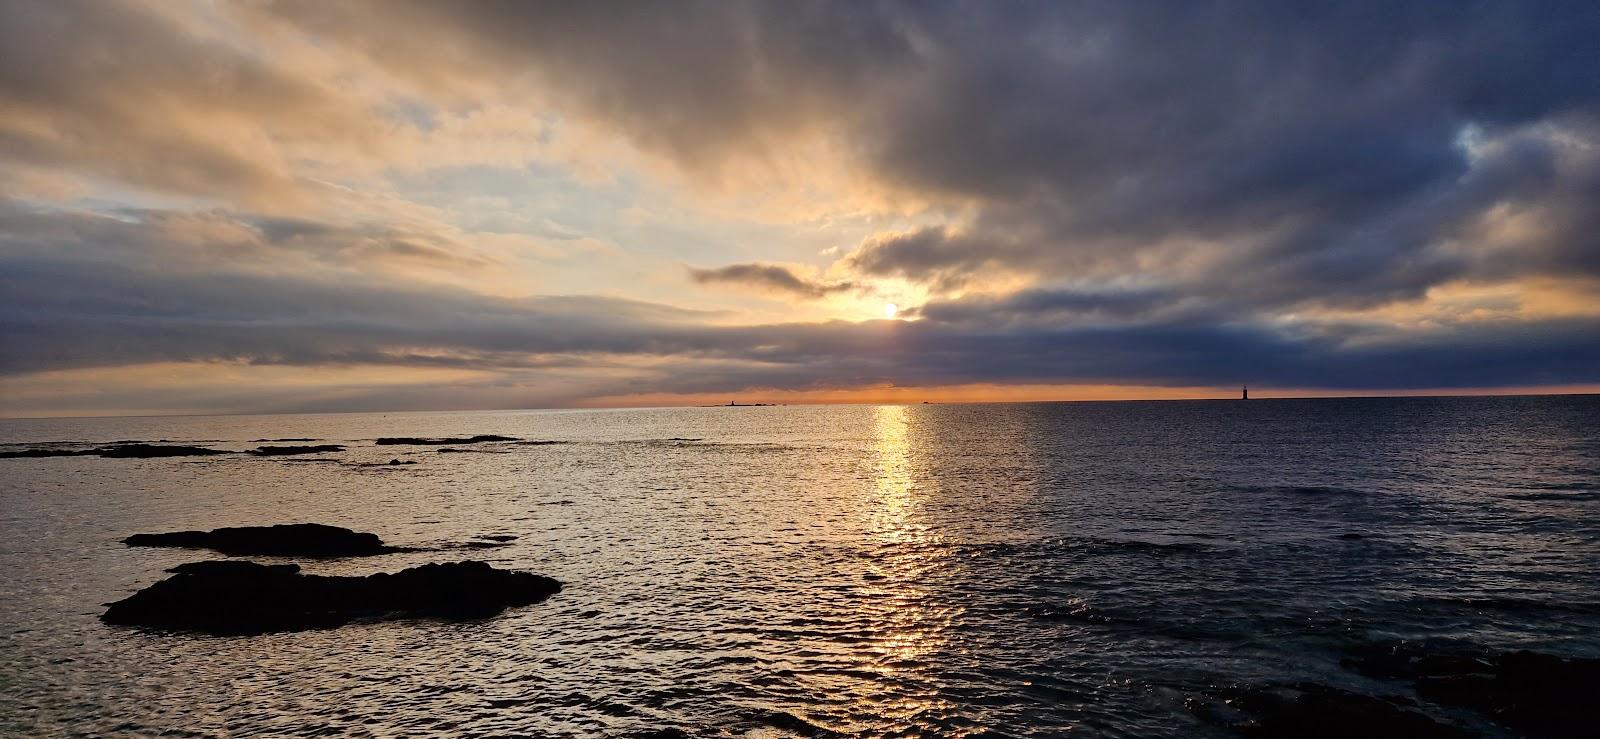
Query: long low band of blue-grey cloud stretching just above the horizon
(78, 292)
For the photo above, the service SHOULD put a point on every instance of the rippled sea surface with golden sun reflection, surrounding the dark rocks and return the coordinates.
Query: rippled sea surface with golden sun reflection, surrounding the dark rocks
(975, 570)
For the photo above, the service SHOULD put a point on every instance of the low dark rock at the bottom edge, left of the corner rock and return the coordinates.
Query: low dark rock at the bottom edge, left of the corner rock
(1318, 711)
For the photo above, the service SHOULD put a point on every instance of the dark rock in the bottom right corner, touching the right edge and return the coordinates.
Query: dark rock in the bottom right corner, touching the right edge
(1532, 693)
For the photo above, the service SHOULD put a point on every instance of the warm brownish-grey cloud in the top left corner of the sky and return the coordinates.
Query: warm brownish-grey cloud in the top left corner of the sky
(113, 90)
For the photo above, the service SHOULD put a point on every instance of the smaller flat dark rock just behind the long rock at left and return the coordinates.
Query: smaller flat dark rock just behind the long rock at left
(289, 540)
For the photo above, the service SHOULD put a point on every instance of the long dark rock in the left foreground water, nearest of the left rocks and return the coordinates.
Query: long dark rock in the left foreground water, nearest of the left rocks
(244, 597)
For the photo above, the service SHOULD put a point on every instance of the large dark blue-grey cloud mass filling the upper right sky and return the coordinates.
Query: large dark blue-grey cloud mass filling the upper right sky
(1318, 146)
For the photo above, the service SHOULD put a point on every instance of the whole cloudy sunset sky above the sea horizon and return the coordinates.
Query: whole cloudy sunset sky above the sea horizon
(297, 206)
